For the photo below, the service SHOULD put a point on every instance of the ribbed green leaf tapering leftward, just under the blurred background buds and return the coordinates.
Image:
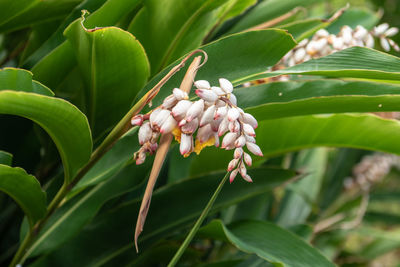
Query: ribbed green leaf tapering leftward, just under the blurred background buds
(354, 62)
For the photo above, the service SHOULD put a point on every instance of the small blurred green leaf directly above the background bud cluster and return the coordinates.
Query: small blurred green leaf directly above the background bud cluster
(354, 17)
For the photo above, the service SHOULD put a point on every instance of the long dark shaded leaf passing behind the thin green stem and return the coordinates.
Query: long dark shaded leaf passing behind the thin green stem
(168, 213)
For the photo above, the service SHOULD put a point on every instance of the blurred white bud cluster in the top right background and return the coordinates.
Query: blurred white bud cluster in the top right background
(323, 43)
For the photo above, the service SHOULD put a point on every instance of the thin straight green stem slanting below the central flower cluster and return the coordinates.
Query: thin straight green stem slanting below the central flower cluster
(198, 223)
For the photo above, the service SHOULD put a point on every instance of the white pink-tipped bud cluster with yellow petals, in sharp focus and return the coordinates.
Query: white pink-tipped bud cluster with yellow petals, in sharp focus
(198, 124)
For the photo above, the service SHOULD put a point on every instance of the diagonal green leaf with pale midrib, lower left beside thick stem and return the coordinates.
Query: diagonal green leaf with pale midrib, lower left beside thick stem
(78, 212)
